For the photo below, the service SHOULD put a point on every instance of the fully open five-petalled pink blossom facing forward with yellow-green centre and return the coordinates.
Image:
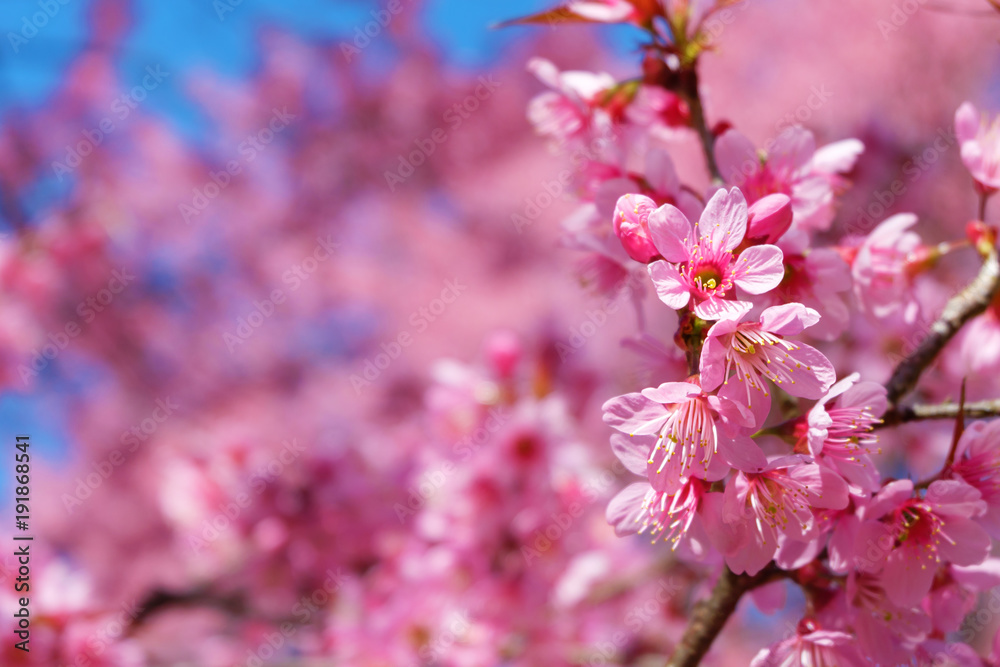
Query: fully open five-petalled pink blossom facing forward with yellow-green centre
(699, 266)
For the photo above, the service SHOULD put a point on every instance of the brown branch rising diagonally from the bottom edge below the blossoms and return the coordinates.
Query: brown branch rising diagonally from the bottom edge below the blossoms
(710, 615)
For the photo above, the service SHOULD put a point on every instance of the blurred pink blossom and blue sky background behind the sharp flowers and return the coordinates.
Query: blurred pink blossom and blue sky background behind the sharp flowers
(296, 396)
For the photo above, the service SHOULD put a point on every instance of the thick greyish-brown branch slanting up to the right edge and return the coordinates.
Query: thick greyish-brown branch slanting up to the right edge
(961, 308)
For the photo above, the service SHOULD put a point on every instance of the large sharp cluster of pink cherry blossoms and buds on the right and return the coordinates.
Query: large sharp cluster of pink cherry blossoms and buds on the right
(759, 456)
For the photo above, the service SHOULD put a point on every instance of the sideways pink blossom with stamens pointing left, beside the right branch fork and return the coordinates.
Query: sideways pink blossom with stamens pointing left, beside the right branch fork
(841, 435)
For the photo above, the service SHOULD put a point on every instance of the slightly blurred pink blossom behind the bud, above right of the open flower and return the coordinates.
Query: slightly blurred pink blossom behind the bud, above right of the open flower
(792, 166)
